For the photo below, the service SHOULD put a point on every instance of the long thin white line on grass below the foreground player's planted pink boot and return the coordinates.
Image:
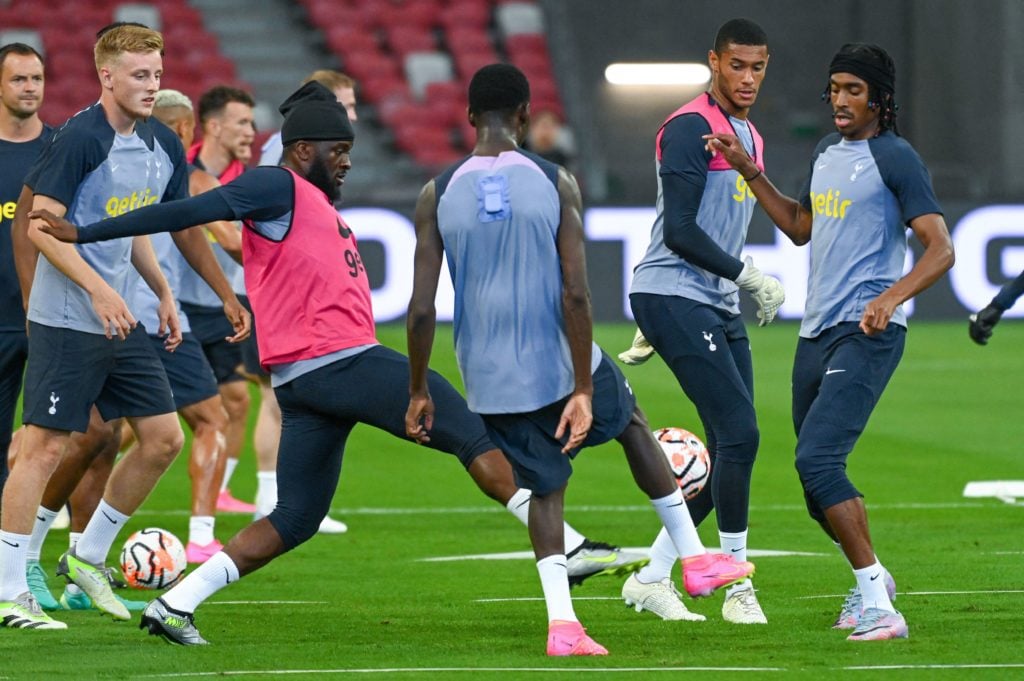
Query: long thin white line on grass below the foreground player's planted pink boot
(472, 670)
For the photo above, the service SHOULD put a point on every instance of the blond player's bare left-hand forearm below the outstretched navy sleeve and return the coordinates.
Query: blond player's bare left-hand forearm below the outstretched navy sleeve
(113, 312)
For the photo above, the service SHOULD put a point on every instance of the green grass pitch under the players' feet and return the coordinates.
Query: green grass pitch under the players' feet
(366, 605)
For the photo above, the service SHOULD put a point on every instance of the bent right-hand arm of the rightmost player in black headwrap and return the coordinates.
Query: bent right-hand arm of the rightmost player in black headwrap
(938, 259)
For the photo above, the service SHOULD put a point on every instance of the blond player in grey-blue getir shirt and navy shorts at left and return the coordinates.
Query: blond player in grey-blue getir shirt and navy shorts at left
(86, 347)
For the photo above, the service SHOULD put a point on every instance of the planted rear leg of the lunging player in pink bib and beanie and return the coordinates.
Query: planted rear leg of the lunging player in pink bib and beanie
(310, 464)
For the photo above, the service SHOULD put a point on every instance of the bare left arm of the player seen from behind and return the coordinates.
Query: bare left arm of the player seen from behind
(422, 317)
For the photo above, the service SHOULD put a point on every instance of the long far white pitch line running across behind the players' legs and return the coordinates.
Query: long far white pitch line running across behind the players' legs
(467, 510)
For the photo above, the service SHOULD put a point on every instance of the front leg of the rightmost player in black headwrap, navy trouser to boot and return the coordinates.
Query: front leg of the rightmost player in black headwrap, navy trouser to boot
(858, 369)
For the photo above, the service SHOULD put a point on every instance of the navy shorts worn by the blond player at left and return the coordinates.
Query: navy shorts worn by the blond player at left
(70, 371)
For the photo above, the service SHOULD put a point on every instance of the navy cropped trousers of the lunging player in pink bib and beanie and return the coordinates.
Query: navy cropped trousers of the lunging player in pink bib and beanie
(320, 409)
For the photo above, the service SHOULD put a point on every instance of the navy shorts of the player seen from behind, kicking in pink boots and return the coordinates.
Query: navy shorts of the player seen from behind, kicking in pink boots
(529, 440)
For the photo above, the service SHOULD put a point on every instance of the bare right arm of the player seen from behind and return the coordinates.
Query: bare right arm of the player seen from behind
(578, 415)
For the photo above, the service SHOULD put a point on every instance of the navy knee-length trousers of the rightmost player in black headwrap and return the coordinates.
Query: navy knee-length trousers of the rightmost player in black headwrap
(838, 379)
